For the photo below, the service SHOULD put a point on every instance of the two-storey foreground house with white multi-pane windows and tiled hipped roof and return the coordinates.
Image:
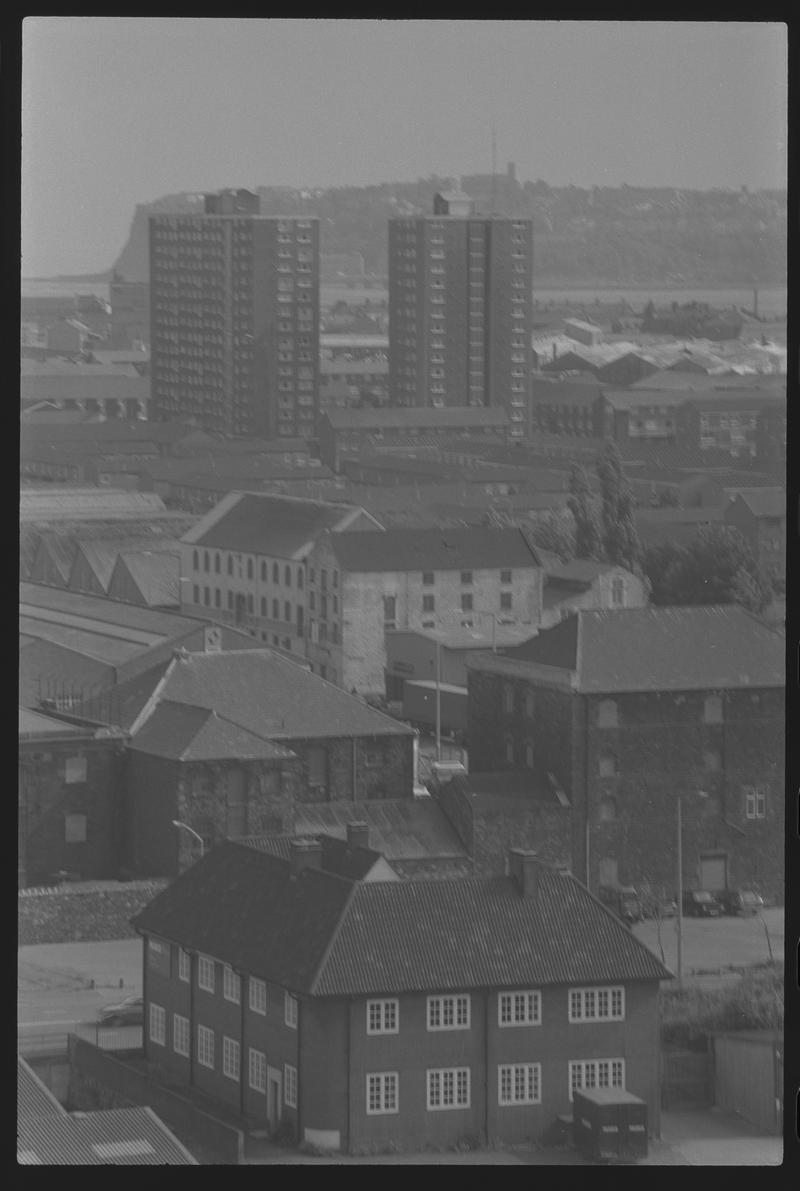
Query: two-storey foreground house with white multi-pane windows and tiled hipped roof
(362, 1014)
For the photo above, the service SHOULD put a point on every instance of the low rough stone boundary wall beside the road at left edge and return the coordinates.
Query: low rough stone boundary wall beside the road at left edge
(72, 914)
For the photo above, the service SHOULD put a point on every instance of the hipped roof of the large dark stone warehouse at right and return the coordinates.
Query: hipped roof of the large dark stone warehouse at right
(661, 650)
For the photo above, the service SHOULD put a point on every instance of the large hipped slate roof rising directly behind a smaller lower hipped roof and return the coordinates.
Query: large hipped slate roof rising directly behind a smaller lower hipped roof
(259, 691)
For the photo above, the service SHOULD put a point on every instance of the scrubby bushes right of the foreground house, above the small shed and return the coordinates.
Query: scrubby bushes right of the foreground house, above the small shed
(754, 1003)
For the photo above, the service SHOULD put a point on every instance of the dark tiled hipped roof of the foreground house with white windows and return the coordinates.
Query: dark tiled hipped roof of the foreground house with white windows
(323, 936)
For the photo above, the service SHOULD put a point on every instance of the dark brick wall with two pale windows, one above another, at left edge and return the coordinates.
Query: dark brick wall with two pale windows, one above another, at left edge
(46, 799)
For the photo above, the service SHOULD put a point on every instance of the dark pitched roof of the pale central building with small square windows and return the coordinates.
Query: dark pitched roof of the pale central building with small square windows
(434, 550)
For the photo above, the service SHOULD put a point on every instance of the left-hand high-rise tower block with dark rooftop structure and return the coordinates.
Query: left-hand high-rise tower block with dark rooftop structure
(235, 319)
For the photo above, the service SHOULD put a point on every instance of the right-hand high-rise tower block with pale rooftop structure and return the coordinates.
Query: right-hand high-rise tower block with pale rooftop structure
(460, 309)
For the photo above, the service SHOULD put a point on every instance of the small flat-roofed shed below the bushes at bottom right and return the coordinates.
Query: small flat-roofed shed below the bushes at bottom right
(749, 1077)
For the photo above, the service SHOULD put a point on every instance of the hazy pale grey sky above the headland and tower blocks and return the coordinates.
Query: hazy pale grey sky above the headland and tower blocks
(118, 111)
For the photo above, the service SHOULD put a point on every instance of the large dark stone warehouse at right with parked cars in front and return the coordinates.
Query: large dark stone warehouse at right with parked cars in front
(629, 712)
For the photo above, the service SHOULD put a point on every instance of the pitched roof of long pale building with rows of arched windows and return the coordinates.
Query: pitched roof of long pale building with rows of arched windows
(268, 525)
